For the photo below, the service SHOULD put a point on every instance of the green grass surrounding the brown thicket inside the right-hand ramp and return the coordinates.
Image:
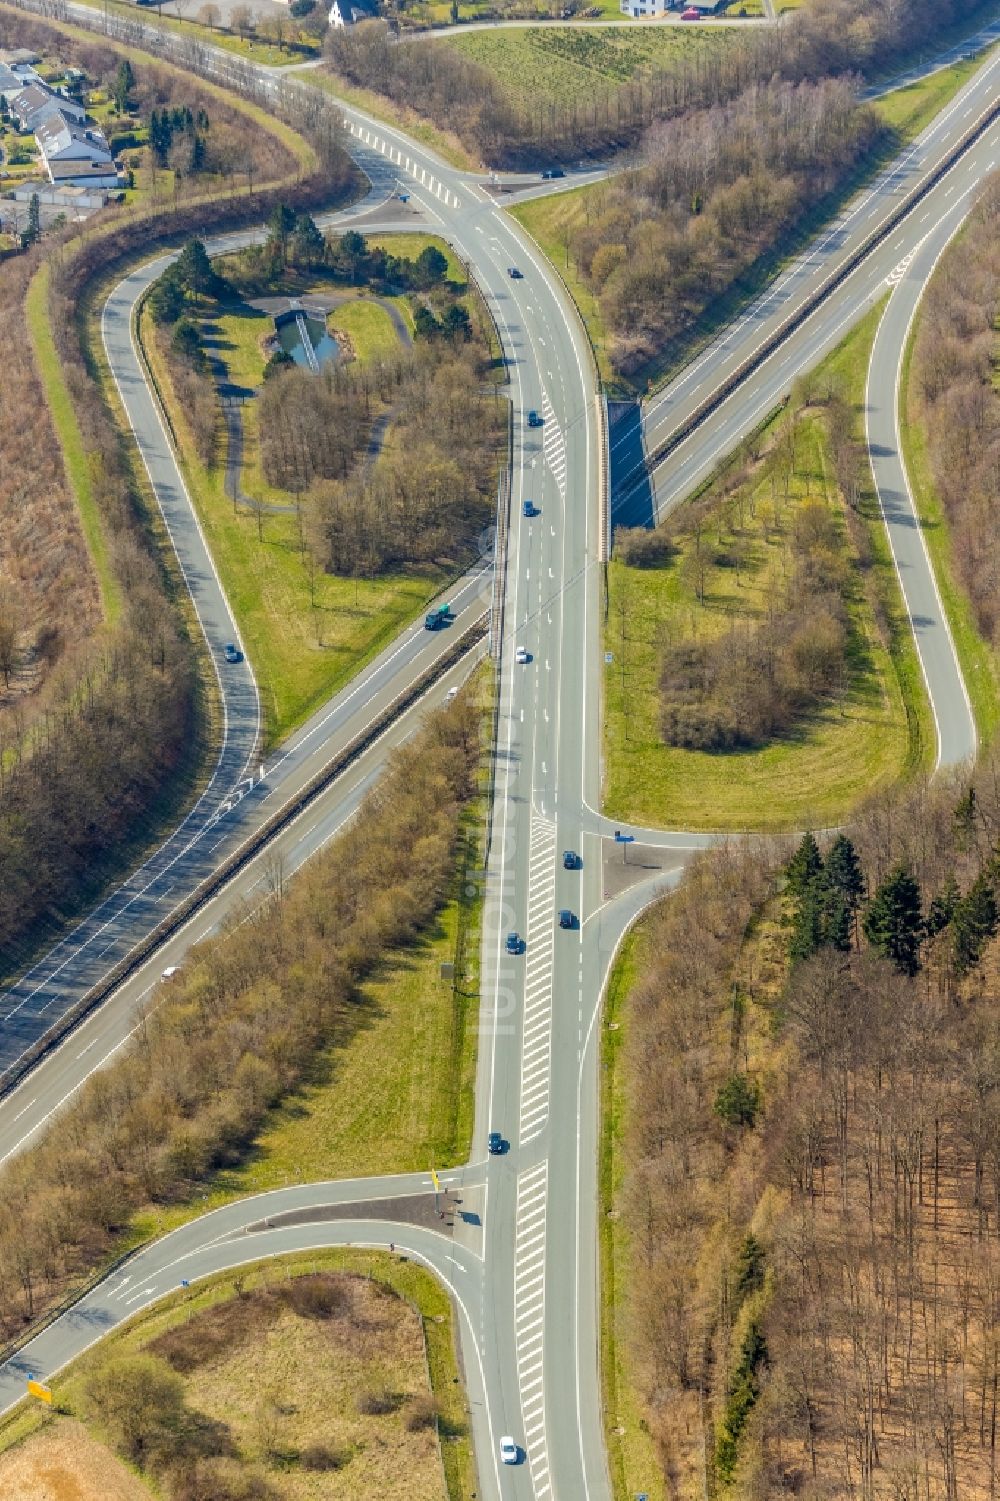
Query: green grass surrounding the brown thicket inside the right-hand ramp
(875, 733)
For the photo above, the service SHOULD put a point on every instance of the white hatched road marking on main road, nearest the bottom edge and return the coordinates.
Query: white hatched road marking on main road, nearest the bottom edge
(529, 1314)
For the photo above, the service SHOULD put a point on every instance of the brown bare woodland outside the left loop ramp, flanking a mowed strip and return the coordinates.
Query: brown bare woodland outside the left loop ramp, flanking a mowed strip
(113, 721)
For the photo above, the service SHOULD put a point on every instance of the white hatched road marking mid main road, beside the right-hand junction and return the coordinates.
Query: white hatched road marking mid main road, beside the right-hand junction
(537, 1027)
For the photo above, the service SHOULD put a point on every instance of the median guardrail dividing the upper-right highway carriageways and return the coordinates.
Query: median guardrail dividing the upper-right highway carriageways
(795, 320)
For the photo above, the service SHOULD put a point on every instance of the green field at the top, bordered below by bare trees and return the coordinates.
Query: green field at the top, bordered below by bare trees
(567, 65)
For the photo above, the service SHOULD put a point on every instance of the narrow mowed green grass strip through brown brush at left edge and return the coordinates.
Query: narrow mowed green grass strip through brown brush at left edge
(71, 442)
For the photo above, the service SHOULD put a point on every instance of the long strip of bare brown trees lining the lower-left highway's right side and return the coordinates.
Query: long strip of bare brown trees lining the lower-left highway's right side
(239, 1027)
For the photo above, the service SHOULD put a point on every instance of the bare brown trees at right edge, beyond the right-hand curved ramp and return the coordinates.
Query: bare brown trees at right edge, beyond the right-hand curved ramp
(959, 403)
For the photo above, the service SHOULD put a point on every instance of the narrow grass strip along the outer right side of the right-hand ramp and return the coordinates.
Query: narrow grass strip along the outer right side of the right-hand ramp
(978, 663)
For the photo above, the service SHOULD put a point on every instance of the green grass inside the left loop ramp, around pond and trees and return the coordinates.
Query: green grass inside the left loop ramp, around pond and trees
(303, 652)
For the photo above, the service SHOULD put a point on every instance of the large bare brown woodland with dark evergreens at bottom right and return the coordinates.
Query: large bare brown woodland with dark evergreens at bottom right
(812, 1203)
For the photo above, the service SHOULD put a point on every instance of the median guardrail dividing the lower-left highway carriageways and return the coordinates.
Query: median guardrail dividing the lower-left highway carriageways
(241, 858)
